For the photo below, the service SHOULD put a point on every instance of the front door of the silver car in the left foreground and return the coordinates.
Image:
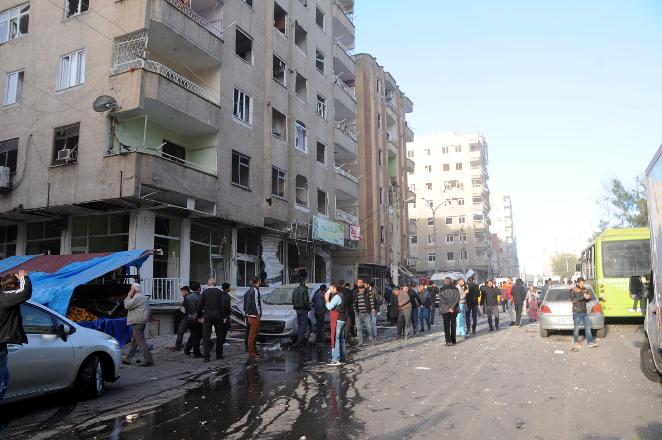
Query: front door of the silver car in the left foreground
(45, 362)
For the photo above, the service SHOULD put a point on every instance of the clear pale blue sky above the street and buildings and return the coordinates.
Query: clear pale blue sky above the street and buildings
(567, 94)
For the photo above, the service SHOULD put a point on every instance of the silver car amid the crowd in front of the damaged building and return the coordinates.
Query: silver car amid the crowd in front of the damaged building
(278, 317)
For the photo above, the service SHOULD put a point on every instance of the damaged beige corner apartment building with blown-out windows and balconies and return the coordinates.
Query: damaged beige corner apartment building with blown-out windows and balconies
(219, 132)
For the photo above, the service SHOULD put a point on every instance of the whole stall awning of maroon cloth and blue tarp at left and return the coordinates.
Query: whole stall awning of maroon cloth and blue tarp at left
(57, 276)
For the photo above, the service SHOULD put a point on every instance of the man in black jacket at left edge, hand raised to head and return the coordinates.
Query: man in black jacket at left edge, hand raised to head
(16, 289)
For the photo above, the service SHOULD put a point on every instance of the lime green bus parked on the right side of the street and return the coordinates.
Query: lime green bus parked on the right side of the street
(609, 262)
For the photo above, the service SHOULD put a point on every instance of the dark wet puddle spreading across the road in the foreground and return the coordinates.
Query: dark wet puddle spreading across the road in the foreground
(288, 395)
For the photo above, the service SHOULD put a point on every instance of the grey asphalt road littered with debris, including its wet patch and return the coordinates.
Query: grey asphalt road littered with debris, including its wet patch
(510, 384)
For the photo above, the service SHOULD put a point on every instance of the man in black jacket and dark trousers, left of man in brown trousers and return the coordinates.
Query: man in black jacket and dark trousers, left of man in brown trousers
(214, 311)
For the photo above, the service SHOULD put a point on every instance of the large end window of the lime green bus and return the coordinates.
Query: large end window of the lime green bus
(623, 259)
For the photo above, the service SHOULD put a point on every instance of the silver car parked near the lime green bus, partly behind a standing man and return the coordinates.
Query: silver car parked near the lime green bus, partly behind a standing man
(556, 312)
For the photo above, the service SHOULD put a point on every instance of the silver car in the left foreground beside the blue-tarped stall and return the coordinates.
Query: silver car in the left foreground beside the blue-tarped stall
(59, 355)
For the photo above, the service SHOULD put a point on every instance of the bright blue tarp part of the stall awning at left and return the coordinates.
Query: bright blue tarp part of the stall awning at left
(54, 290)
